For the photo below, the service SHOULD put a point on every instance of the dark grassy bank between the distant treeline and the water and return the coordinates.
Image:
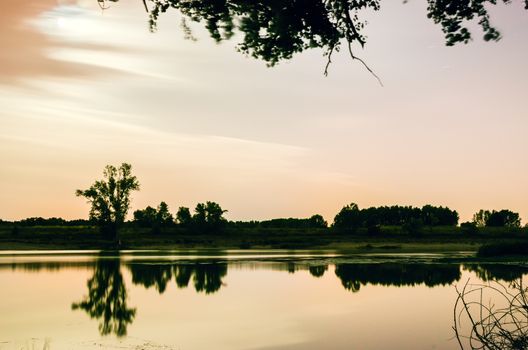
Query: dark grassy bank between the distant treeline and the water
(390, 239)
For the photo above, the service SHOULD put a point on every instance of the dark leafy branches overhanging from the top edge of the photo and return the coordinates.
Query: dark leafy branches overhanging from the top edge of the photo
(273, 30)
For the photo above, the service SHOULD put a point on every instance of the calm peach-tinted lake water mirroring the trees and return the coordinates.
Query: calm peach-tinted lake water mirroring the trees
(232, 300)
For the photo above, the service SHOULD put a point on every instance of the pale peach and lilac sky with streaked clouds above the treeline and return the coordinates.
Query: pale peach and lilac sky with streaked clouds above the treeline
(81, 88)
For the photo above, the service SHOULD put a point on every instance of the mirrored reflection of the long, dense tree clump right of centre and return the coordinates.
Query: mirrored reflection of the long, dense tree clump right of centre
(353, 276)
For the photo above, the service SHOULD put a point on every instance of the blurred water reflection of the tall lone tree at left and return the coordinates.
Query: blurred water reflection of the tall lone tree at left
(107, 298)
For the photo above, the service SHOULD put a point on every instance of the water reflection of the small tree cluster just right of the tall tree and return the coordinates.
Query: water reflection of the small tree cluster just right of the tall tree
(207, 277)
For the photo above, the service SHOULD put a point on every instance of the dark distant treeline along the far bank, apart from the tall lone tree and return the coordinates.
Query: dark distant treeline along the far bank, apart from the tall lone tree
(209, 217)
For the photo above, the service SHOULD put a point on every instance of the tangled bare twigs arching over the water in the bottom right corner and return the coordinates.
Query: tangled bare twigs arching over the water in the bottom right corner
(492, 316)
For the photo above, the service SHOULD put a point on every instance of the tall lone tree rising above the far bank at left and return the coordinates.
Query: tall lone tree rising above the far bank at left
(110, 198)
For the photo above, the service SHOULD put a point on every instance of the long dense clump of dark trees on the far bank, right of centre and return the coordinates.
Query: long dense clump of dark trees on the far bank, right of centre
(350, 218)
